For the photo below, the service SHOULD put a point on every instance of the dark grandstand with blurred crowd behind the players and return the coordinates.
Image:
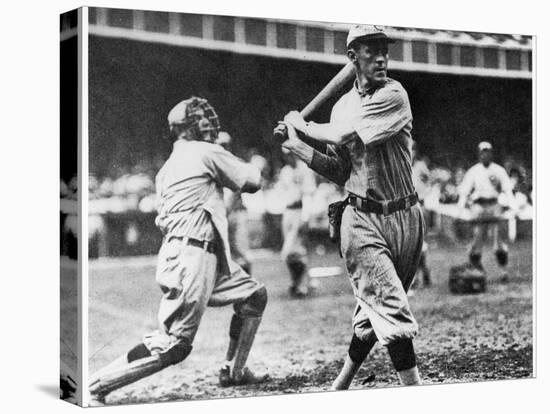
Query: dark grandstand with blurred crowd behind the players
(130, 98)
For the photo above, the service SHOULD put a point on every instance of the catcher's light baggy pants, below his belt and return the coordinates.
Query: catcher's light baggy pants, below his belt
(192, 279)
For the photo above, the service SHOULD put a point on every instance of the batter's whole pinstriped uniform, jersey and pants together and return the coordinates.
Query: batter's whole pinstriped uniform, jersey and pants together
(381, 251)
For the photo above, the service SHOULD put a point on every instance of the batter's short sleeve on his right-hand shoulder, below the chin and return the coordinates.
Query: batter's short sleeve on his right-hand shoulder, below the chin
(383, 115)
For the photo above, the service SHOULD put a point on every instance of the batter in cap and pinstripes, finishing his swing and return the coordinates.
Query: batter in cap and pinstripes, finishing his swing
(382, 229)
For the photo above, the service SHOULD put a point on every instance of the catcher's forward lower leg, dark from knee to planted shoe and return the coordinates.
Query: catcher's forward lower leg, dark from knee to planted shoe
(242, 331)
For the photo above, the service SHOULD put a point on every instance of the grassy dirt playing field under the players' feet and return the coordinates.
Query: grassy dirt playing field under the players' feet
(302, 343)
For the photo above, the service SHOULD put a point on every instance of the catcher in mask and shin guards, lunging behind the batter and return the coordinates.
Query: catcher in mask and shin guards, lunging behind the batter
(194, 269)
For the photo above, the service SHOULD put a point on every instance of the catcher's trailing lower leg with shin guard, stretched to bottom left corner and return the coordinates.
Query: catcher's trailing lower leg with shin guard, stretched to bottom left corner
(139, 363)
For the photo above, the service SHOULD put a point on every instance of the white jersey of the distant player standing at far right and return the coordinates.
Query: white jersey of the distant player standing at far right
(482, 182)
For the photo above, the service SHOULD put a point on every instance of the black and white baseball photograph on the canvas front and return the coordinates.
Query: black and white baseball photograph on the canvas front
(281, 206)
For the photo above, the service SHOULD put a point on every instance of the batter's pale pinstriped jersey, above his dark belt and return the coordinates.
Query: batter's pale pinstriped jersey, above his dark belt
(381, 152)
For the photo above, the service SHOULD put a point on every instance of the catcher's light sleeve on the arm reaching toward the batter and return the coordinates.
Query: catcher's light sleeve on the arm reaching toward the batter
(230, 171)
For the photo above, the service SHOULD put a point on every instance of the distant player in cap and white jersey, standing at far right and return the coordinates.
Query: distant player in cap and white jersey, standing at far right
(483, 185)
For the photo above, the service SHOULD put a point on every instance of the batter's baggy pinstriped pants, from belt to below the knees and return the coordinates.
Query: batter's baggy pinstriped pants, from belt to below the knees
(382, 255)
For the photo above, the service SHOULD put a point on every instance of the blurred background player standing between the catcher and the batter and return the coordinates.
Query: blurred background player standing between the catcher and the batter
(298, 184)
